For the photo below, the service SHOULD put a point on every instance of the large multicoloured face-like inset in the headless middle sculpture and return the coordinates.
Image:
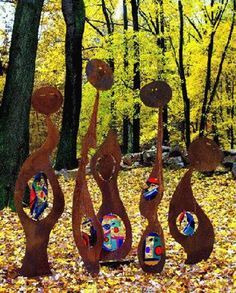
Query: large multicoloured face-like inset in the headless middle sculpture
(114, 232)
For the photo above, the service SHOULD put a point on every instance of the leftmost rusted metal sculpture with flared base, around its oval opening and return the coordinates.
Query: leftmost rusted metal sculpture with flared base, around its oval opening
(45, 100)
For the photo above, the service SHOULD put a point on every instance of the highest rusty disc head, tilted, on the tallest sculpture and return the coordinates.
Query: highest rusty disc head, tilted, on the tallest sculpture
(99, 74)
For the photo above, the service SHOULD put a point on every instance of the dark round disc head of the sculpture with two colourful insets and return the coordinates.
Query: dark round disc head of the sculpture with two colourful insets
(156, 94)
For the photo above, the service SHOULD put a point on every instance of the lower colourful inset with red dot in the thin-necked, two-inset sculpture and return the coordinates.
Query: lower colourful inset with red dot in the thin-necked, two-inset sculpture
(153, 249)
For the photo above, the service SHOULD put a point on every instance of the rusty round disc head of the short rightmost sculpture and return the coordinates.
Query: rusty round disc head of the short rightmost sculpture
(204, 154)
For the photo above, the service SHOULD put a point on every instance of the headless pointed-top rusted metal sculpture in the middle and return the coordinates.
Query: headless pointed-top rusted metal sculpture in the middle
(105, 166)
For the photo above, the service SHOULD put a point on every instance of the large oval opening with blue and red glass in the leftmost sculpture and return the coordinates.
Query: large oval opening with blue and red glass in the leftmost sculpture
(40, 202)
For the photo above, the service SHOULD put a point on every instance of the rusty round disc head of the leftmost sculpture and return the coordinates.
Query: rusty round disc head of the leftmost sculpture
(47, 100)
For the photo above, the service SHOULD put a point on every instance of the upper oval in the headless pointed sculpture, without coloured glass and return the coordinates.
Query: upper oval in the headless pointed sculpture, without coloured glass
(106, 167)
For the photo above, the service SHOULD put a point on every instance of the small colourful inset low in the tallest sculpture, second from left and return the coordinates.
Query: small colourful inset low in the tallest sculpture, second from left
(89, 233)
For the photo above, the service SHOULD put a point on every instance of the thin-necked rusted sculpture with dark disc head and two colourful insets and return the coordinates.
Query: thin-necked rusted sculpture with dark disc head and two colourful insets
(151, 249)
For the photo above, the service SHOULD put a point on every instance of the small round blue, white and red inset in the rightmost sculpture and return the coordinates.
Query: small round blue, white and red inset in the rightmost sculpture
(187, 223)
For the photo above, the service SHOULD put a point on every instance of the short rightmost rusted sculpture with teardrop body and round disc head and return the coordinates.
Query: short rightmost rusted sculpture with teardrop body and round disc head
(204, 155)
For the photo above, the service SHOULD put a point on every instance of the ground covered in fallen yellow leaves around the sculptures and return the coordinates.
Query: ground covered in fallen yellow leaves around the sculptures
(216, 195)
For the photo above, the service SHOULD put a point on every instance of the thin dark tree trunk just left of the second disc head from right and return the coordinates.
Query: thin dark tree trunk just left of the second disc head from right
(136, 79)
